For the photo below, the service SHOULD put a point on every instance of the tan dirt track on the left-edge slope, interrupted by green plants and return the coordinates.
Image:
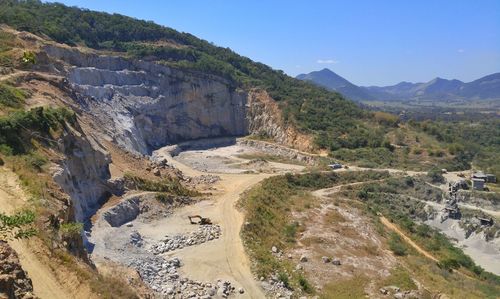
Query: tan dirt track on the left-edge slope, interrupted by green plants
(45, 283)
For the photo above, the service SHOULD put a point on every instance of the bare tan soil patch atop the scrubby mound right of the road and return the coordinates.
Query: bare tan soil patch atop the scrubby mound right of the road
(338, 230)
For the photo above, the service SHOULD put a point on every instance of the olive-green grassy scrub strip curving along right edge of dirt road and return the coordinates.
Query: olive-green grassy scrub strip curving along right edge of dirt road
(268, 216)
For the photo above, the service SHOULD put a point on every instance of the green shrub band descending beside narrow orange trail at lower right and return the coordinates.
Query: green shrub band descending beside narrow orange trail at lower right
(390, 199)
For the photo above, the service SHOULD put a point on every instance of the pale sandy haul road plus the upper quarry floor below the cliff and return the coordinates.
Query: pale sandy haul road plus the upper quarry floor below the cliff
(226, 257)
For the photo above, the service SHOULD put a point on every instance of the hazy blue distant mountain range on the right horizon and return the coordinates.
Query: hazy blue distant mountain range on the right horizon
(438, 89)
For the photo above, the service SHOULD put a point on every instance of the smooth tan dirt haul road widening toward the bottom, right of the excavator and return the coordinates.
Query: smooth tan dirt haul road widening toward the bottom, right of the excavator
(226, 259)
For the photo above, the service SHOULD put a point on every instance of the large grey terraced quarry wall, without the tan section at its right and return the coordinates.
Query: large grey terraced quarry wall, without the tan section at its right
(144, 106)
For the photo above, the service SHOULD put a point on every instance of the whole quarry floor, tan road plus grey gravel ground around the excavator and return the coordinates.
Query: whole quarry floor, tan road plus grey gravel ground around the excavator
(223, 258)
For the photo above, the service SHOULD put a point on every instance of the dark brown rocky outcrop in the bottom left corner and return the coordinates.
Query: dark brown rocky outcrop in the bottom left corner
(14, 282)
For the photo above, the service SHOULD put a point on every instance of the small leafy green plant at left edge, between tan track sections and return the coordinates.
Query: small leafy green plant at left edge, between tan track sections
(17, 226)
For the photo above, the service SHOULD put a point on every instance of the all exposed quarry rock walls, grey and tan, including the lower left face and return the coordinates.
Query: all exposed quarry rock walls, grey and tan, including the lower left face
(143, 106)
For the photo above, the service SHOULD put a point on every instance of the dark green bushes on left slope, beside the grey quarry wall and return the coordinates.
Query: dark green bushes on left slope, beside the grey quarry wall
(17, 128)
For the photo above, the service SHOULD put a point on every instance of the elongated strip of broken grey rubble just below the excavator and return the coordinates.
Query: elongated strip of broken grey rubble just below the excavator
(203, 234)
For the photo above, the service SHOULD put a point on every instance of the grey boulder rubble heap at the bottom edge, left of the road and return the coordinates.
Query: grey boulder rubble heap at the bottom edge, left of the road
(163, 278)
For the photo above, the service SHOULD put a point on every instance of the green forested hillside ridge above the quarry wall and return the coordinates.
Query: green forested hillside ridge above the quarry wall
(312, 109)
